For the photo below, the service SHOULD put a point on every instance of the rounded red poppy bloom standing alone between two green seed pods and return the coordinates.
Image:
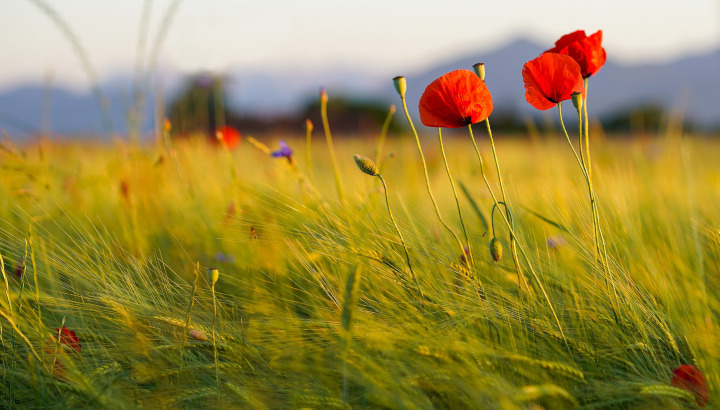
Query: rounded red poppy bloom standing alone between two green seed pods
(456, 99)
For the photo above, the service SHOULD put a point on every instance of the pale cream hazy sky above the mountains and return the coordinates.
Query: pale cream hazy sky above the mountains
(371, 35)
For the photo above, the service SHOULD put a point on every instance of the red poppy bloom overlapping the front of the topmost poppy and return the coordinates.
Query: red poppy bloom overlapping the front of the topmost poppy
(551, 78)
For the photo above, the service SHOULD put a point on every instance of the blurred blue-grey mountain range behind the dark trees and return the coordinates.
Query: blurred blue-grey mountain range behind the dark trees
(689, 85)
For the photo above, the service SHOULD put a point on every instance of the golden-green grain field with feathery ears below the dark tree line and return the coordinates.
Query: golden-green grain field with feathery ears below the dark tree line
(106, 302)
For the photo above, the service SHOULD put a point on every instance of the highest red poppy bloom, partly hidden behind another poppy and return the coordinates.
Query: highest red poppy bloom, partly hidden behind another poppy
(587, 51)
